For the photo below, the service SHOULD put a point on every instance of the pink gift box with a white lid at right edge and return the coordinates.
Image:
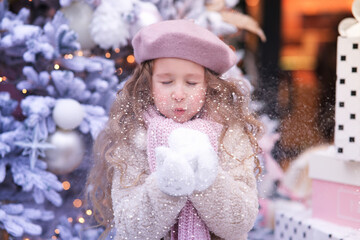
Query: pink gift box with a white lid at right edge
(335, 188)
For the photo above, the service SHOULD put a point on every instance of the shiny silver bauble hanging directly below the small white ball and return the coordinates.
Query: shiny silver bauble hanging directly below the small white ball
(67, 154)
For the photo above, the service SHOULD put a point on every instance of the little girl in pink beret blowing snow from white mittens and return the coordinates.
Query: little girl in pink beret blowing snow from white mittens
(177, 159)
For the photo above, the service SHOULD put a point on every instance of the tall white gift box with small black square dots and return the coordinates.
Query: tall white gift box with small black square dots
(347, 113)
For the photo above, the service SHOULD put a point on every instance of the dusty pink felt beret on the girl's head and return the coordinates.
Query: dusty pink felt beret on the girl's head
(186, 40)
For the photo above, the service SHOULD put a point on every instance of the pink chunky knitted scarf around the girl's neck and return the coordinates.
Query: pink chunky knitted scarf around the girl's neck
(189, 224)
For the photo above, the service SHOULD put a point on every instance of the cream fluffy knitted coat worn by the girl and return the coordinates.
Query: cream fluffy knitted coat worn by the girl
(228, 207)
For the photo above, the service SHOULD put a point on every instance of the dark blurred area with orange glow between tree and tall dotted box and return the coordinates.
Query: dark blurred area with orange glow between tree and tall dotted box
(297, 68)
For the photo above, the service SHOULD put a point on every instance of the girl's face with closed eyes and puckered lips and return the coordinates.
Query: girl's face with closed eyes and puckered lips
(178, 88)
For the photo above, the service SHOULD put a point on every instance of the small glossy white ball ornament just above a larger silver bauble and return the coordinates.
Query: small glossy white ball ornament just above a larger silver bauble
(68, 114)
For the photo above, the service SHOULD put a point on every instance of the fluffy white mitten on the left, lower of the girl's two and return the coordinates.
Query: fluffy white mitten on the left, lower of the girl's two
(174, 174)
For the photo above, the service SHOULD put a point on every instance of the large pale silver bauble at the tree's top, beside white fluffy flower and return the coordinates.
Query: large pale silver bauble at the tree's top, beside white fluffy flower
(79, 16)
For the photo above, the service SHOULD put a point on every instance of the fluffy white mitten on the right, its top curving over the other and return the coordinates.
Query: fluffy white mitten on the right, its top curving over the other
(196, 148)
